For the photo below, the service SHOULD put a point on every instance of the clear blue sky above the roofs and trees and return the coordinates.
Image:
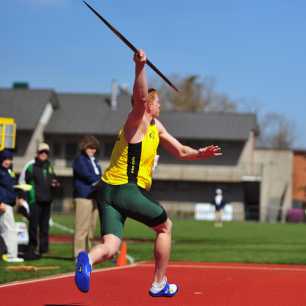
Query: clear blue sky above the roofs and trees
(254, 50)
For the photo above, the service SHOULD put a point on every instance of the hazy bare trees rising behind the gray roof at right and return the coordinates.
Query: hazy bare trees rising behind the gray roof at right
(275, 130)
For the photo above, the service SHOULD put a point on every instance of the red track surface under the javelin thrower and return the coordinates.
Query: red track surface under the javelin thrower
(200, 284)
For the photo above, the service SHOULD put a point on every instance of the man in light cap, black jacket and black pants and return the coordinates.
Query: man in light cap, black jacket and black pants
(40, 174)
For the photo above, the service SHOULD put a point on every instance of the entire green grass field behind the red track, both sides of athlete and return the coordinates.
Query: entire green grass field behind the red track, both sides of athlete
(192, 241)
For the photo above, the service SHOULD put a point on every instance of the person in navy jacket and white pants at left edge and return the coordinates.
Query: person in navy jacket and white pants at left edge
(8, 199)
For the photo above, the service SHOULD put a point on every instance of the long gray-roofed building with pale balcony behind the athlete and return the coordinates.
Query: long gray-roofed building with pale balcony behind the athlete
(61, 119)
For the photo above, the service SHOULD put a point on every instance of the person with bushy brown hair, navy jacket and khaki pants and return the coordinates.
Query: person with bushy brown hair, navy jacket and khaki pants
(86, 174)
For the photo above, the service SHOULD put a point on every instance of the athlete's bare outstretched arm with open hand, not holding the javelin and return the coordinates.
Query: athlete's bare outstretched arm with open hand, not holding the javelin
(180, 151)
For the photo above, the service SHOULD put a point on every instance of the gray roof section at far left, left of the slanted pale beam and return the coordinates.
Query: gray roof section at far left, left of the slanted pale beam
(25, 106)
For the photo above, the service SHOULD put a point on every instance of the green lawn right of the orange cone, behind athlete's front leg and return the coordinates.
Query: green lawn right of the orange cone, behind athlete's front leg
(235, 242)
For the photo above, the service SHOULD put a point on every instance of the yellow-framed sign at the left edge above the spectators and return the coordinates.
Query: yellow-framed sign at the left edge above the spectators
(7, 133)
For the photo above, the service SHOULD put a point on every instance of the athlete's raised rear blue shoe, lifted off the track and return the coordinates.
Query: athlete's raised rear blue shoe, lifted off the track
(82, 272)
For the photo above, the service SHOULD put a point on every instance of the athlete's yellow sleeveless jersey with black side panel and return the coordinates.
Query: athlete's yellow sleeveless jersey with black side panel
(133, 162)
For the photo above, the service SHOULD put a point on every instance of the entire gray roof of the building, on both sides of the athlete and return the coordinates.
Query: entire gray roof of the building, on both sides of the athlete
(91, 114)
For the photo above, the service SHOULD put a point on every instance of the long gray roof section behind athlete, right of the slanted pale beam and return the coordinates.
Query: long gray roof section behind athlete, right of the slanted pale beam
(91, 114)
